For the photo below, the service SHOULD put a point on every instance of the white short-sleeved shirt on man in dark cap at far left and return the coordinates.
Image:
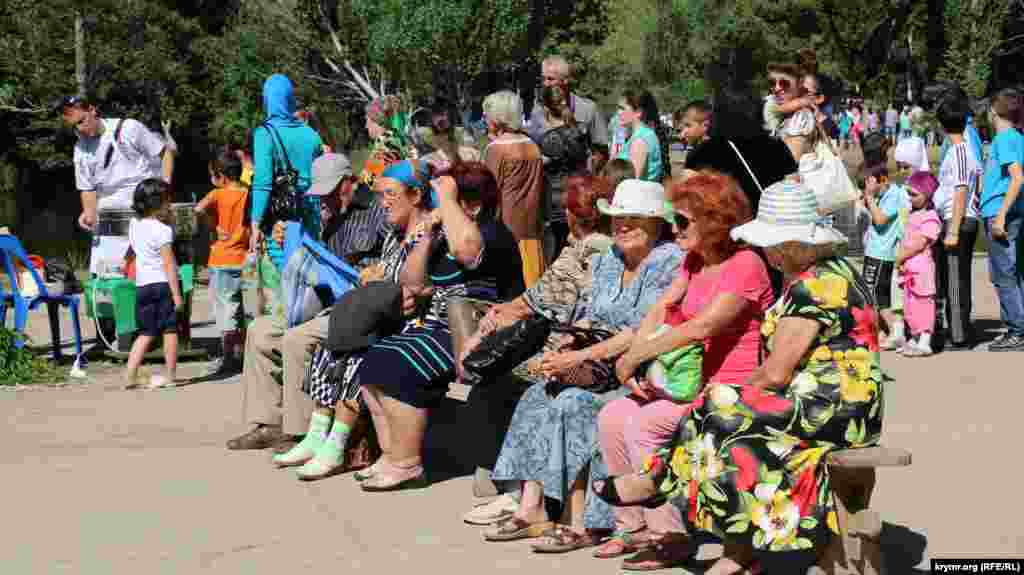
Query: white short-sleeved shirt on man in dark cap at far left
(133, 159)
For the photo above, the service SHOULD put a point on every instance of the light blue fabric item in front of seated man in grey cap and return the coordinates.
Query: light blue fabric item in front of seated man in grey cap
(314, 278)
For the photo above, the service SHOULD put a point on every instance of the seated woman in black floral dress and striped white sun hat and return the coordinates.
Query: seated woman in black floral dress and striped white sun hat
(749, 463)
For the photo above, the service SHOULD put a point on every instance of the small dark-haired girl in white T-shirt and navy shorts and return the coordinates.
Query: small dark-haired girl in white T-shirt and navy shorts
(158, 298)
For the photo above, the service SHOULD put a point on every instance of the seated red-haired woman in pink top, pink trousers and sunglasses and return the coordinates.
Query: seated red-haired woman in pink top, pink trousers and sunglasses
(720, 298)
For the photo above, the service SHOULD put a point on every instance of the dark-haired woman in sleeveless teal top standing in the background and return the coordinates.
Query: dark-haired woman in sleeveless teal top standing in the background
(637, 113)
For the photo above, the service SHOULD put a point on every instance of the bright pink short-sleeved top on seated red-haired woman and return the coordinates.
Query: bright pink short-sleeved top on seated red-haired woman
(731, 357)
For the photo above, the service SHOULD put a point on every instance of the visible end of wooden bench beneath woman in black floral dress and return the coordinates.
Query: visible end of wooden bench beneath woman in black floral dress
(858, 550)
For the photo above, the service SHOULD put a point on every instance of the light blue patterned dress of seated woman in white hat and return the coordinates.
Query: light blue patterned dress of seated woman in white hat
(553, 439)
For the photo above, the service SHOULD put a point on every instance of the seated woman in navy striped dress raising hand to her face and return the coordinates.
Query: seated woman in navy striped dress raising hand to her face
(465, 251)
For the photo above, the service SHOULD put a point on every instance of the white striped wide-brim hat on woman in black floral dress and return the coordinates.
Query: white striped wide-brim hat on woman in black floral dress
(788, 212)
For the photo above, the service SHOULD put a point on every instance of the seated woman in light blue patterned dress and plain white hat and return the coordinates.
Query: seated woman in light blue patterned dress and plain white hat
(553, 436)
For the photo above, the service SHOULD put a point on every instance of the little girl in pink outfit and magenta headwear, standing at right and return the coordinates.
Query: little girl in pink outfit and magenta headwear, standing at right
(917, 269)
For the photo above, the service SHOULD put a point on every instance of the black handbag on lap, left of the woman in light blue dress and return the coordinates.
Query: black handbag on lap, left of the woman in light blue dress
(503, 349)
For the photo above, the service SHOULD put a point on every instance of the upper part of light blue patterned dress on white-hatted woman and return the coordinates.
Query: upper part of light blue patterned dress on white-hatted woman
(611, 305)
